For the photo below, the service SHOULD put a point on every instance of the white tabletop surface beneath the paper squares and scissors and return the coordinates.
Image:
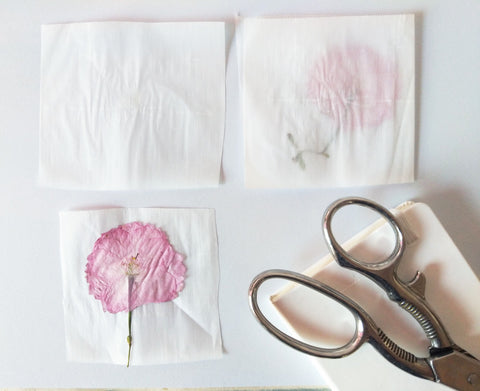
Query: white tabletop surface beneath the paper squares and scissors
(257, 229)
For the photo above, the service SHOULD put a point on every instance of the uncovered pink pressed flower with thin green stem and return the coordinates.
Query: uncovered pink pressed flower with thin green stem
(131, 265)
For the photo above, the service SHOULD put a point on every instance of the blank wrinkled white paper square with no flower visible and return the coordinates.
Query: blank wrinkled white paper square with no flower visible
(127, 105)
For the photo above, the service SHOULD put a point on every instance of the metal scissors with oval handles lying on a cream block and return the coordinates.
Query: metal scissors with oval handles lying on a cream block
(446, 363)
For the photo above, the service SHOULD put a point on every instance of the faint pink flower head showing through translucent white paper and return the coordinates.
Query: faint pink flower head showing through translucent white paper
(355, 86)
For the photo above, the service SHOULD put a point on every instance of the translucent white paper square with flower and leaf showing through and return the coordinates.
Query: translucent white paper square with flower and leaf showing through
(329, 101)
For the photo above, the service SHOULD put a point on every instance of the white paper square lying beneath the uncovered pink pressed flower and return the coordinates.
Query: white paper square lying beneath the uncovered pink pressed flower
(185, 329)
